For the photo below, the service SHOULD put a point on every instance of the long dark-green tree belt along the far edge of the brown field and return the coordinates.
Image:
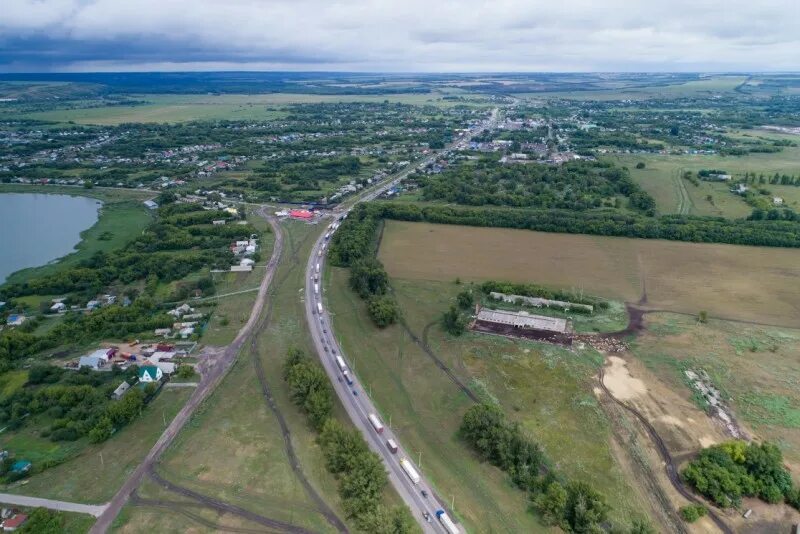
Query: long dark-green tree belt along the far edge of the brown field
(768, 233)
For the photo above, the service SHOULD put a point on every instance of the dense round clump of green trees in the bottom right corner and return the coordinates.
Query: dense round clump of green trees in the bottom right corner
(727, 472)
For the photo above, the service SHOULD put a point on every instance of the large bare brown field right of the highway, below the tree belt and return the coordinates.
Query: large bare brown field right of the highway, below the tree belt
(735, 282)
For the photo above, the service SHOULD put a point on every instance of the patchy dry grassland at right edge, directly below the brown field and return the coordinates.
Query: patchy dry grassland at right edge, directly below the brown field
(757, 369)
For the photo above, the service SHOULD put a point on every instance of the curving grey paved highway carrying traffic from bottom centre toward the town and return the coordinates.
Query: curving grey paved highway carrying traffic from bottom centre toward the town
(353, 396)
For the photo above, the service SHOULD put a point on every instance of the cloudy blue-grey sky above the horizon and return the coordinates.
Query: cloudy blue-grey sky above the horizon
(400, 35)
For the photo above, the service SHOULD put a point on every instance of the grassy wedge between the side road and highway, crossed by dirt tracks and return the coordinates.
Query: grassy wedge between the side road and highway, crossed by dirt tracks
(233, 449)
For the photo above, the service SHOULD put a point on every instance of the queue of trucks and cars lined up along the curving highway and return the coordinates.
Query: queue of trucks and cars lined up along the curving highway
(375, 421)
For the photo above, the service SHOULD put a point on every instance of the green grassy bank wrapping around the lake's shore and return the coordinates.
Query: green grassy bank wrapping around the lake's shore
(121, 219)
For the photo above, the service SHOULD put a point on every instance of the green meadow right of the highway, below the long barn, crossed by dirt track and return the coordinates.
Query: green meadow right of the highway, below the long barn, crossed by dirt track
(544, 388)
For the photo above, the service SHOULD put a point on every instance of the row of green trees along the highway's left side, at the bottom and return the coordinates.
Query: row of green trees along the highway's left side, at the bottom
(358, 470)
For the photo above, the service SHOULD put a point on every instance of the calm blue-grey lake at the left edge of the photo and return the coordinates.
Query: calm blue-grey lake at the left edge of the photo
(36, 229)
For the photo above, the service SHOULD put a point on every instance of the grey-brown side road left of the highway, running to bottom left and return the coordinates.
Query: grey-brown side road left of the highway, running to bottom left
(211, 377)
